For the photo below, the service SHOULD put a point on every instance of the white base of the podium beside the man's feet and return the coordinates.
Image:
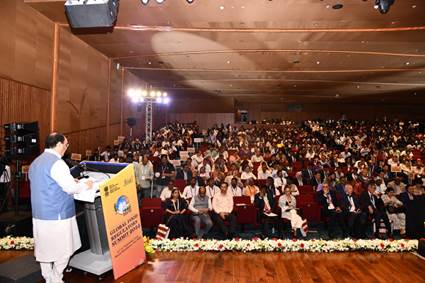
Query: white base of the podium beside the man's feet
(92, 263)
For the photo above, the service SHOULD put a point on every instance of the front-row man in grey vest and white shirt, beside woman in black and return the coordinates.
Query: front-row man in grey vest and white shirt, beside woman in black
(200, 205)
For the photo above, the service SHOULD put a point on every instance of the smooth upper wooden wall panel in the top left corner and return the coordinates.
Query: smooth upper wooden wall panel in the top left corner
(26, 44)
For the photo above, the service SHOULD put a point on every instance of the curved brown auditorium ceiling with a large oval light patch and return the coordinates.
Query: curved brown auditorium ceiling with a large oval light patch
(293, 51)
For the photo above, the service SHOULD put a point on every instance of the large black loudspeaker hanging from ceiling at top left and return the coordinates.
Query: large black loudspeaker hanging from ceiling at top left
(91, 13)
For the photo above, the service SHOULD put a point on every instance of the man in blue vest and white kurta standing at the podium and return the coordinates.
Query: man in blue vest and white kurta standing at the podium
(56, 235)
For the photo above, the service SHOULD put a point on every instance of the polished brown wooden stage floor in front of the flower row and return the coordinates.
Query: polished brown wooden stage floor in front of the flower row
(266, 267)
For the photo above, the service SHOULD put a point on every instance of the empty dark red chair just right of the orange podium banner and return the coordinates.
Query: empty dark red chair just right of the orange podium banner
(151, 212)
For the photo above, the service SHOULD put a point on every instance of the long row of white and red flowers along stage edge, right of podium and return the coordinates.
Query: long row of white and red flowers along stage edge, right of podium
(277, 245)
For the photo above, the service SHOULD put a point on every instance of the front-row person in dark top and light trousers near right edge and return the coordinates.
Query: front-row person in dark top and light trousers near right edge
(395, 211)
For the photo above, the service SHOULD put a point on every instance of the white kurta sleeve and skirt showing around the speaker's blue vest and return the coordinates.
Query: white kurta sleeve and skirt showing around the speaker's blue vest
(58, 239)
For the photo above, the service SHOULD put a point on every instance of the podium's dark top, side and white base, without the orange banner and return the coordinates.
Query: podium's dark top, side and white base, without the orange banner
(97, 259)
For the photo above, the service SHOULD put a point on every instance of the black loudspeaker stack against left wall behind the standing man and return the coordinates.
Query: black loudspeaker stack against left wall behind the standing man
(21, 140)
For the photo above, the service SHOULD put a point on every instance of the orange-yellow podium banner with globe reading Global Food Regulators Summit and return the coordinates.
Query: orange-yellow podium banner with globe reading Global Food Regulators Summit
(122, 221)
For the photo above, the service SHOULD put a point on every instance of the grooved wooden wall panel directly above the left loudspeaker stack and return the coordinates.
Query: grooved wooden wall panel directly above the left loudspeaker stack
(23, 103)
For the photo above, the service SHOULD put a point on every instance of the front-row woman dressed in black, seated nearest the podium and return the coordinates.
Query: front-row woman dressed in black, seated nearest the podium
(175, 217)
